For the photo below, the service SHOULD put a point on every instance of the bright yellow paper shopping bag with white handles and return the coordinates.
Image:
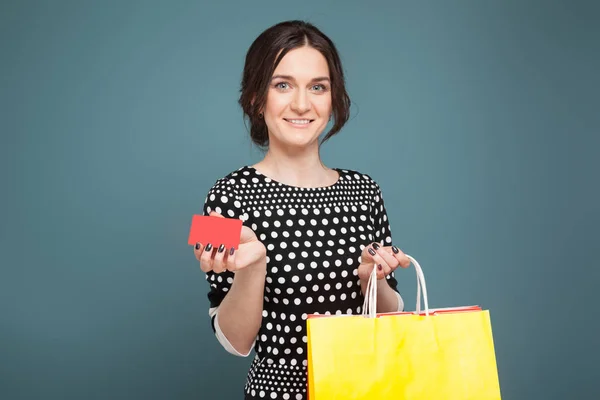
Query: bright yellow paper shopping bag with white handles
(438, 354)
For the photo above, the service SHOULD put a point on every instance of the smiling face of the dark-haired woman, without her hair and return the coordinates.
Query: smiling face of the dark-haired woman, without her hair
(299, 98)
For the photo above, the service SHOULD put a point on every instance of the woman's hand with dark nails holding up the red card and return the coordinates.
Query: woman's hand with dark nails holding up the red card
(250, 252)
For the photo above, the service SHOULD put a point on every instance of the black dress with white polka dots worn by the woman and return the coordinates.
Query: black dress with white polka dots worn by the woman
(314, 238)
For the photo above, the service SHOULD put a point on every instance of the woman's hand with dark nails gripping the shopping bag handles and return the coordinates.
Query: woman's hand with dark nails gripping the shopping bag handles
(385, 259)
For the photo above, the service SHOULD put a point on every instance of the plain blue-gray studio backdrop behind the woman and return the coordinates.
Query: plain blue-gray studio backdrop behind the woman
(480, 120)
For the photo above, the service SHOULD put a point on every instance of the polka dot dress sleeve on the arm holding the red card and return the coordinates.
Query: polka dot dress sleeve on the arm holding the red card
(221, 198)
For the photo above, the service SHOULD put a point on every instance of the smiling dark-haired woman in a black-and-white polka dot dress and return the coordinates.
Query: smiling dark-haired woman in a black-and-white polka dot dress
(311, 235)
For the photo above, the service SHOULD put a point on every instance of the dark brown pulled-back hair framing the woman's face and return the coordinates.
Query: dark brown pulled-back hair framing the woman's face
(262, 58)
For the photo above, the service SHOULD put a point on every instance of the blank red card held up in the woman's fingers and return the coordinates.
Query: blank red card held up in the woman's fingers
(216, 231)
